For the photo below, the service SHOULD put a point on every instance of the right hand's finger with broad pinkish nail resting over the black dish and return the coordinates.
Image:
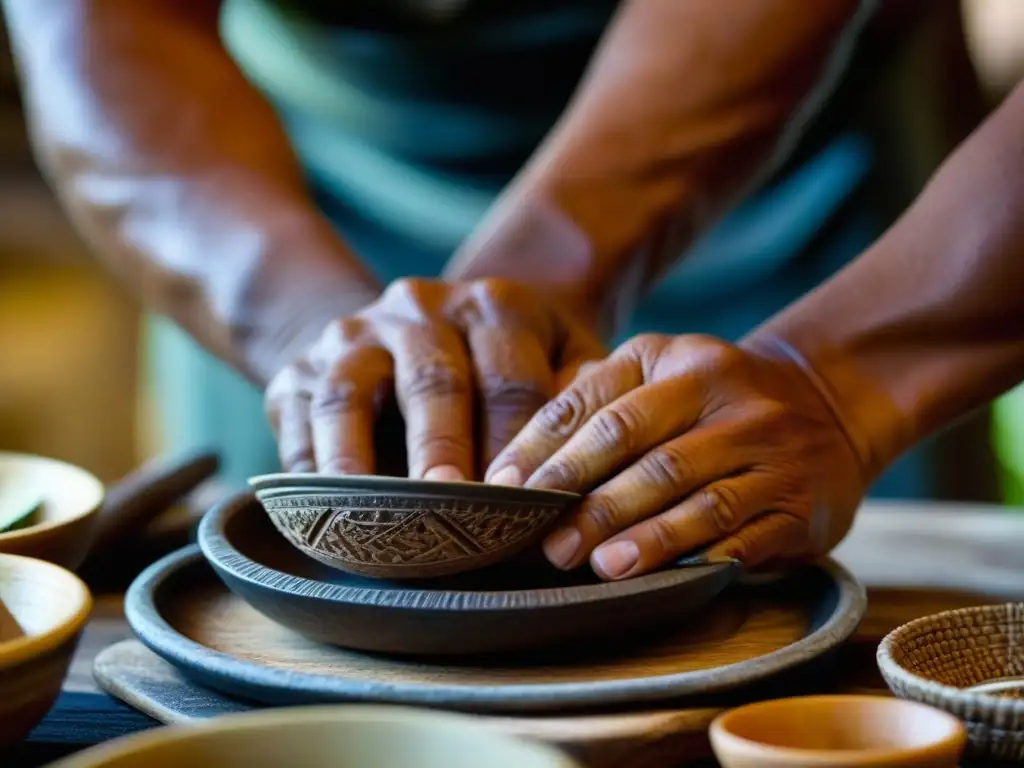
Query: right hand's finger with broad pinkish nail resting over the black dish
(714, 514)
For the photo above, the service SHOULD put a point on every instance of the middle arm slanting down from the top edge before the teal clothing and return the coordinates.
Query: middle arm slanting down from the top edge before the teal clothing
(686, 106)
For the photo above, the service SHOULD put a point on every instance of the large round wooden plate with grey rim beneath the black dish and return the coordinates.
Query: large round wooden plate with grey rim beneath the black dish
(183, 612)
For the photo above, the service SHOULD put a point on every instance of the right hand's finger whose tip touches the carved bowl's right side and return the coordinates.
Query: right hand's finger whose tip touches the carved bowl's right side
(658, 481)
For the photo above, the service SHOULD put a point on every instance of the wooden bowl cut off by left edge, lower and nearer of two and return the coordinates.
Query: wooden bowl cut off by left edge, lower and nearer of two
(51, 607)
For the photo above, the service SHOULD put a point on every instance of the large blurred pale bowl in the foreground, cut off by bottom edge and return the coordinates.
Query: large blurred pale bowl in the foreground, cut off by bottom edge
(355, 737)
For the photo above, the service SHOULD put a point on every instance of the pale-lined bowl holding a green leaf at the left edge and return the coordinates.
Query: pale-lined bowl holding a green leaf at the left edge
(71, 498)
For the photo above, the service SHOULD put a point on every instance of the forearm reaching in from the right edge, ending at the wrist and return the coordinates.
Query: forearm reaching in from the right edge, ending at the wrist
(929, 323)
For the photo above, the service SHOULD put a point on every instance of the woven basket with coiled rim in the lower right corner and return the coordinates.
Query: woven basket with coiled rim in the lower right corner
(940, 659)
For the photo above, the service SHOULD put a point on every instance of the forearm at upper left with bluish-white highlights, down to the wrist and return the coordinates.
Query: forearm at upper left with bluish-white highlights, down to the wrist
(179, 175)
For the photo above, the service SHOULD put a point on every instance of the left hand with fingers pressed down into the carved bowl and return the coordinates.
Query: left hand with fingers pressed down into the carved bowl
(444, 350)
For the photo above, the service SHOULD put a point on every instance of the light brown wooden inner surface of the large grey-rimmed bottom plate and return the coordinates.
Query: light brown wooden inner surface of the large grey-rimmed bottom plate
(732, 632)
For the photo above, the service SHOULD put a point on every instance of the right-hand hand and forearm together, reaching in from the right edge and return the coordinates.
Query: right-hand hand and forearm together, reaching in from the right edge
(763, 451)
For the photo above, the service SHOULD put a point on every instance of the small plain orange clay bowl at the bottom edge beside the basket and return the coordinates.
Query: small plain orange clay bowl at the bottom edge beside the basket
(838, 733)
